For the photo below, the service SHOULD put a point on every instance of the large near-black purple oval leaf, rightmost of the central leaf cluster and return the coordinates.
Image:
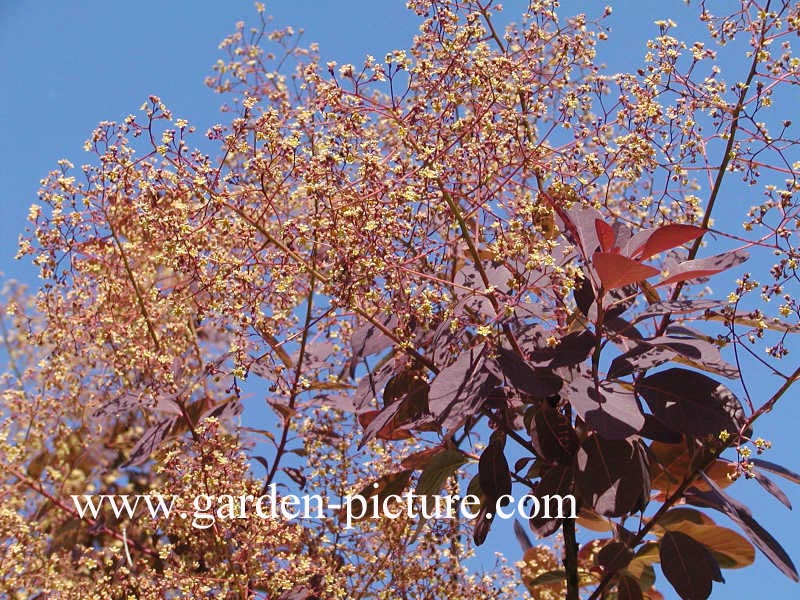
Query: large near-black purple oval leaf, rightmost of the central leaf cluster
(692, 403)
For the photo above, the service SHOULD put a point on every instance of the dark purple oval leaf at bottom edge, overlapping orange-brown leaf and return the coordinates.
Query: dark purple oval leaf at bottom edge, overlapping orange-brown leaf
(688, 565)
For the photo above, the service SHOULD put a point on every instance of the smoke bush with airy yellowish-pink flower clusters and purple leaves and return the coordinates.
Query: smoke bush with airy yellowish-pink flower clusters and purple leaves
(480, 247)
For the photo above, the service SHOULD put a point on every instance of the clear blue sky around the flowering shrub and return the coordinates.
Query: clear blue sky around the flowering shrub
(67, 65)
